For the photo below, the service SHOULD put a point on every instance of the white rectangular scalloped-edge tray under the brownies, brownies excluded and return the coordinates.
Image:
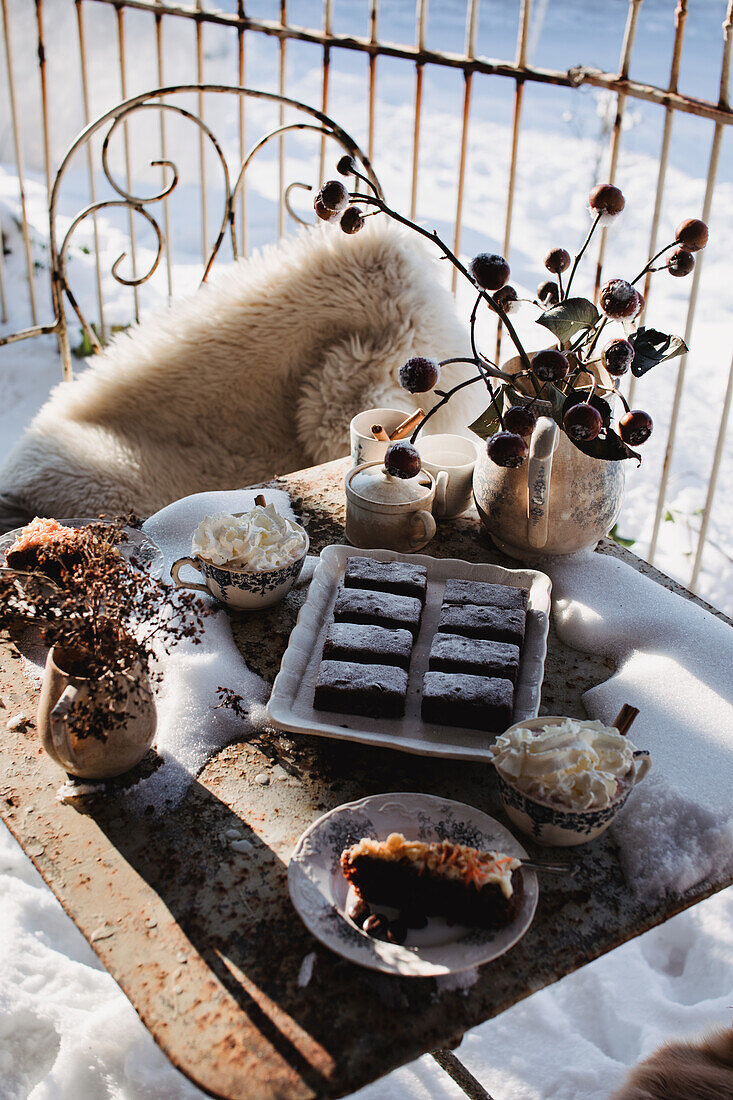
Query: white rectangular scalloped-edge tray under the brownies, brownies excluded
(291, 705)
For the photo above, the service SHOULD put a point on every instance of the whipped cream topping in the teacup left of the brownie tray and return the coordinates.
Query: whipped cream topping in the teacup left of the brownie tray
(258, 541)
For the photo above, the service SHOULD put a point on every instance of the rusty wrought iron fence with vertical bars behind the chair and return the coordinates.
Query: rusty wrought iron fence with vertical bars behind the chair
(283, 32)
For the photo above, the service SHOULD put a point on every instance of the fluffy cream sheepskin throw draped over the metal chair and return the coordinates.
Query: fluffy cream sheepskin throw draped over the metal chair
(257, 375)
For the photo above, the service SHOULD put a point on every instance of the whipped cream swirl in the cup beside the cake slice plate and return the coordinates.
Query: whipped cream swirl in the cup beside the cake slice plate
(579, 765)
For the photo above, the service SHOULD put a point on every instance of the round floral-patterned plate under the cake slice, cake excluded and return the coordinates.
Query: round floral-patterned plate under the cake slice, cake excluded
(322, 895)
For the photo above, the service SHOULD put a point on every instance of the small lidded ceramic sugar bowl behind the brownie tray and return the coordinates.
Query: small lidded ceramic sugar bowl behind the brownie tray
(390, 512)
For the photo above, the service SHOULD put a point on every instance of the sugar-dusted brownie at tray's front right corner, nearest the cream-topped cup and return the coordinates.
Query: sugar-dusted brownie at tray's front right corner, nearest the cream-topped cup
(454, 699)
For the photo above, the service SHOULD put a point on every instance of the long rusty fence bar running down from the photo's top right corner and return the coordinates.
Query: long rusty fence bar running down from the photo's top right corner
(713, 173)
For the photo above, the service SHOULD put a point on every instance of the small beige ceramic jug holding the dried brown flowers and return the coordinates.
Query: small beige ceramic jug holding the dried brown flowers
(90, 757)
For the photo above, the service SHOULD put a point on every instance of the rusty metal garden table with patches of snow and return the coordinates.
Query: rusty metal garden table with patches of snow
(204, 940)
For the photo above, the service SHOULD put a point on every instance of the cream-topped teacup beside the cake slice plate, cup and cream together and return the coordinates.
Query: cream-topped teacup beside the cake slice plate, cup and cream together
(564, 780)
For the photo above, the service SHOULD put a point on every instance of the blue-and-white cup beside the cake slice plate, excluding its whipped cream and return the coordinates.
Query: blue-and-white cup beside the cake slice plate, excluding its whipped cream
(551, 824)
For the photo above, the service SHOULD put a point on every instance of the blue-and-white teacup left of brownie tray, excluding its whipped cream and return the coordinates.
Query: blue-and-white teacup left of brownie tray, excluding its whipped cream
(240, 589)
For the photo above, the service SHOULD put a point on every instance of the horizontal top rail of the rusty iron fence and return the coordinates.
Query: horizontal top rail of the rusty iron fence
(572, 79)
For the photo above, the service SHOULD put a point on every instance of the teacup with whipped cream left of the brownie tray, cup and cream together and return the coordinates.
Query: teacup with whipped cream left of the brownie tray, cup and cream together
(249, 560)
